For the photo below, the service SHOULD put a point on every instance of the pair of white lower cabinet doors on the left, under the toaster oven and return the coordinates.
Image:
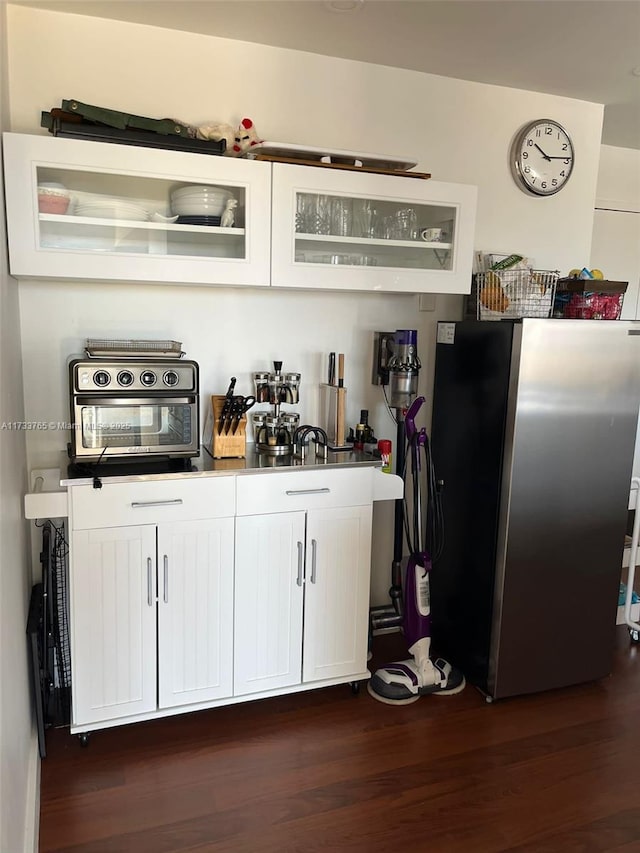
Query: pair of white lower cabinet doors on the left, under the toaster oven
(124, 596)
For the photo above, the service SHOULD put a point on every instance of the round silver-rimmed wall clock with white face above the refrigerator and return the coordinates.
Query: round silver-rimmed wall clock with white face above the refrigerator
(542, 157)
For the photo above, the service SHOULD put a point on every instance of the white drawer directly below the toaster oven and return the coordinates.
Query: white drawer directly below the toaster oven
(120, 504)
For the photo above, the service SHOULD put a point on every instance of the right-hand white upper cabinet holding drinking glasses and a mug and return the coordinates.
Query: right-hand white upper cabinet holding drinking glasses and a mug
(349, 230)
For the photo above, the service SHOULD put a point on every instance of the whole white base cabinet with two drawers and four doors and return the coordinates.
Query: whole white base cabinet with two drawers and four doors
(194, 592)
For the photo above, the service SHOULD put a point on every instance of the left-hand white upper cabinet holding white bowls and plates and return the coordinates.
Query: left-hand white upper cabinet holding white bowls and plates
(93, 210)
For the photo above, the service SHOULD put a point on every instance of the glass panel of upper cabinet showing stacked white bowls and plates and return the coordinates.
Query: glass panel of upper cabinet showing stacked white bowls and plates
(87, 211)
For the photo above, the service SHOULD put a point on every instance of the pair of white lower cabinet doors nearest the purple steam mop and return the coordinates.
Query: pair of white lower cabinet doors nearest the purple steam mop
(302, 597)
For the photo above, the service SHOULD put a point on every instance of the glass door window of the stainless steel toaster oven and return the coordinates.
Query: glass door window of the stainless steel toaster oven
(126, 426)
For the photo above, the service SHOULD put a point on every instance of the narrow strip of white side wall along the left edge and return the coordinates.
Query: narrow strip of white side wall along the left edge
(19, 767)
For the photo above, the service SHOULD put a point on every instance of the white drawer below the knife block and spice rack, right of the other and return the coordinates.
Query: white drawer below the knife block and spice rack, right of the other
(261, 493)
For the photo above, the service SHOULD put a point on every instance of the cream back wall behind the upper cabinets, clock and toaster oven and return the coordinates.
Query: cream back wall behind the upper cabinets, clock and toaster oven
(458, 131)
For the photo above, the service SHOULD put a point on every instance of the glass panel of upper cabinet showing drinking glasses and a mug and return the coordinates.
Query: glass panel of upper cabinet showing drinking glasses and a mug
(336, 229)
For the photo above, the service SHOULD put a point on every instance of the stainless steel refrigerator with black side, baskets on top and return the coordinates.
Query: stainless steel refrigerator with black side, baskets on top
(533, 433)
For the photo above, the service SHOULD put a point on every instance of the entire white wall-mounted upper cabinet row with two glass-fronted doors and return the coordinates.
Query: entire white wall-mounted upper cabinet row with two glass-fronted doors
(78, 209)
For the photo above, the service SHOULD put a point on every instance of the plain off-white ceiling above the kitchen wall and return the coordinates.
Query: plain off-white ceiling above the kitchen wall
(584, 49)
